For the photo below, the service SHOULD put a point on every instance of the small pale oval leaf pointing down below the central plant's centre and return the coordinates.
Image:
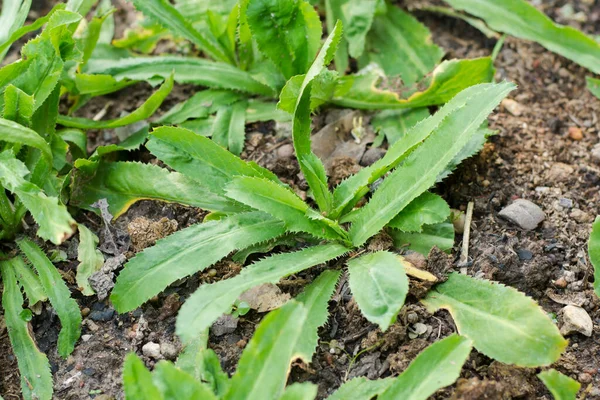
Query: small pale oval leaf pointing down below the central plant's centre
(379, 285)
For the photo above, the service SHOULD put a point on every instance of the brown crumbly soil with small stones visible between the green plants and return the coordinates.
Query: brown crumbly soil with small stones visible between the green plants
(532, 157)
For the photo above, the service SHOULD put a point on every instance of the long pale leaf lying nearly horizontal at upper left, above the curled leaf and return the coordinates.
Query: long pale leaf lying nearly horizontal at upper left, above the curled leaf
(187, 70)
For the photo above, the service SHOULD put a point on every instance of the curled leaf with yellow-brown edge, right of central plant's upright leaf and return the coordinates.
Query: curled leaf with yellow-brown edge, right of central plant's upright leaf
(447, 80)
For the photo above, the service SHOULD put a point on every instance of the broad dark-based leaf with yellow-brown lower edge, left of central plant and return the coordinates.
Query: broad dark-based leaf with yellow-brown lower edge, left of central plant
(124, 183)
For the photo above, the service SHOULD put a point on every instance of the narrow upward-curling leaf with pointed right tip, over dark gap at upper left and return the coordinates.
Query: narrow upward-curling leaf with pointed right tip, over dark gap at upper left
(146, 110)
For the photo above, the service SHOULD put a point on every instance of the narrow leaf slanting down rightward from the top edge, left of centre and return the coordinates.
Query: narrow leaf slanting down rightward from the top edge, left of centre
(162, 12)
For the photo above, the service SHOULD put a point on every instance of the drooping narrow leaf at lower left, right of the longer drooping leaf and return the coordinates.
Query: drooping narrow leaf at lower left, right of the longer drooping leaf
(60, 297)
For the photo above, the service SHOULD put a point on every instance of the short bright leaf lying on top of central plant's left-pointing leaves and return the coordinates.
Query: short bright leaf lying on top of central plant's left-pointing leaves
(281, 203)
